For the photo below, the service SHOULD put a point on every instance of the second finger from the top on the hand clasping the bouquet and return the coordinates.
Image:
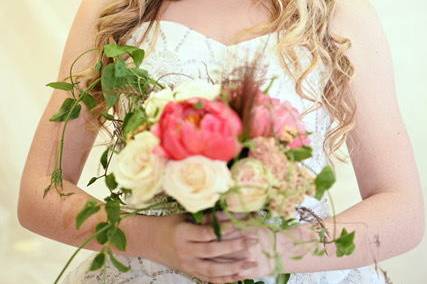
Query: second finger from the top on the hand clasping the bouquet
(216, 249)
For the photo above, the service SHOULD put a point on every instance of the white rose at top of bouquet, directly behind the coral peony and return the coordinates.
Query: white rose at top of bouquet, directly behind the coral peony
(197, 89)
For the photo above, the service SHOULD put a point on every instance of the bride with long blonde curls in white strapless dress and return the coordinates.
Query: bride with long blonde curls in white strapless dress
(305, 45)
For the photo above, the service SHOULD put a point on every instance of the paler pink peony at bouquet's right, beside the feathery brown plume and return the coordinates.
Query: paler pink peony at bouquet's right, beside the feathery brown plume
(272, 117)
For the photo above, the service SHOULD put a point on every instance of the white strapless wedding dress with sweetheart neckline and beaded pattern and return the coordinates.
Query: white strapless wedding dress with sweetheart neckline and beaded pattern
(184, 53)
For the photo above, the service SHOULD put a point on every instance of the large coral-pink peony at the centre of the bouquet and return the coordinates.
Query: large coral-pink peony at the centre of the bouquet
(199, 127)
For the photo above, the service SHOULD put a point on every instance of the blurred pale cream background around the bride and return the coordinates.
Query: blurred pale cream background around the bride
(33, 35)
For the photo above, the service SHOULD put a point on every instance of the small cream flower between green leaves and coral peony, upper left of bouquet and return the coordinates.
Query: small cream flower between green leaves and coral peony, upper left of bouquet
(156, 102)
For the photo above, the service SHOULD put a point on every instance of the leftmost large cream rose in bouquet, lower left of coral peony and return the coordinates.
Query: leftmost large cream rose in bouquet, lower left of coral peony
(137, 168)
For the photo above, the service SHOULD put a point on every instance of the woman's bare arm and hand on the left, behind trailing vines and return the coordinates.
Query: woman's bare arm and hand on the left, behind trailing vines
(165, 240)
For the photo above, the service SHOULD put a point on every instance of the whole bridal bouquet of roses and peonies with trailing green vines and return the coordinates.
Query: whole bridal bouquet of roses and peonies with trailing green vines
(198, 147)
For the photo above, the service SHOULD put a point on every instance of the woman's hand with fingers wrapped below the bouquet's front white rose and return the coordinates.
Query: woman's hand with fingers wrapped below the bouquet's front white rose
(194, 250)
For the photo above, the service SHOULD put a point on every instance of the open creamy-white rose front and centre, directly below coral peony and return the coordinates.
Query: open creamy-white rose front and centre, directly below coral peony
(196, 182)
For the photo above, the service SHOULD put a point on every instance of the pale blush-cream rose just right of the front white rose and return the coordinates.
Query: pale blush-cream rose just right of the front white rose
(252, 181)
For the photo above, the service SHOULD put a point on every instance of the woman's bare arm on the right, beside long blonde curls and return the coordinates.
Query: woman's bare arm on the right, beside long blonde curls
(389, 221)
